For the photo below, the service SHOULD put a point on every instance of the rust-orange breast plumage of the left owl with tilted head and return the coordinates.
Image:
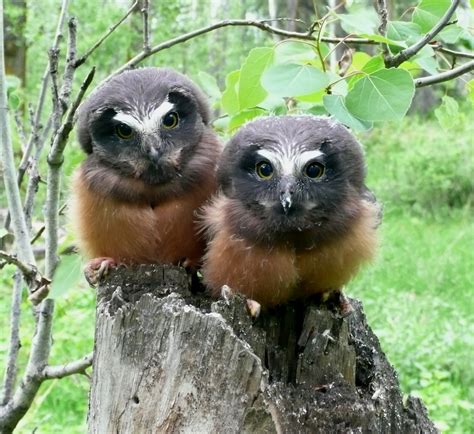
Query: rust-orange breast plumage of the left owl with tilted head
(138, 233)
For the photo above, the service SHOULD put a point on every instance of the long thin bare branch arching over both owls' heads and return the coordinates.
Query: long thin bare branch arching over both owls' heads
(260, 24)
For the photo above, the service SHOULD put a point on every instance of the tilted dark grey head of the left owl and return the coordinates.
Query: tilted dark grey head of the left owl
(144, 124)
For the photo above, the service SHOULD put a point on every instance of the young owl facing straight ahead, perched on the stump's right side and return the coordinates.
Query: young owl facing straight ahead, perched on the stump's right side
(293, 217)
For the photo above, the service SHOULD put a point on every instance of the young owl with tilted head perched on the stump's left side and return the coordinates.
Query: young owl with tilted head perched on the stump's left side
(151, 163)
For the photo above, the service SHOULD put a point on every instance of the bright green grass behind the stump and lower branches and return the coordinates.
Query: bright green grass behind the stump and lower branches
(418, 294)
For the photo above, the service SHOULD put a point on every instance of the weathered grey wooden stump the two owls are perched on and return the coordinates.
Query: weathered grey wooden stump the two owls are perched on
(169, 361)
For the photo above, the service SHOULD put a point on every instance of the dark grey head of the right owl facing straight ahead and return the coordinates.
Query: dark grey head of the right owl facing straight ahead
(292, 179)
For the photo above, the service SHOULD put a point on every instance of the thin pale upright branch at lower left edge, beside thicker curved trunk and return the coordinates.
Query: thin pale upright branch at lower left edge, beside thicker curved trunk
(14, 343)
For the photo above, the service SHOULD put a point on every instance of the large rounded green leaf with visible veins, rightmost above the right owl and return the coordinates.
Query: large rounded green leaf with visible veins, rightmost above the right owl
(383, 95)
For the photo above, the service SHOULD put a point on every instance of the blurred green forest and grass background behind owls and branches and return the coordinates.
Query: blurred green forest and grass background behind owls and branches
(418, 295)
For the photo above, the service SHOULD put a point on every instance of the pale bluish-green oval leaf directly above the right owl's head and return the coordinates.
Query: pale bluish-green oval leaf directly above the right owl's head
(293, 80)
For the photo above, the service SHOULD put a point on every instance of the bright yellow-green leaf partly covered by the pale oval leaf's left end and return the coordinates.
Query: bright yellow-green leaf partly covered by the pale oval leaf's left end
(250, 91)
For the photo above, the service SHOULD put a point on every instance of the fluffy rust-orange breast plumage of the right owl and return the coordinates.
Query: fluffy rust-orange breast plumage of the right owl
(274, 276)
